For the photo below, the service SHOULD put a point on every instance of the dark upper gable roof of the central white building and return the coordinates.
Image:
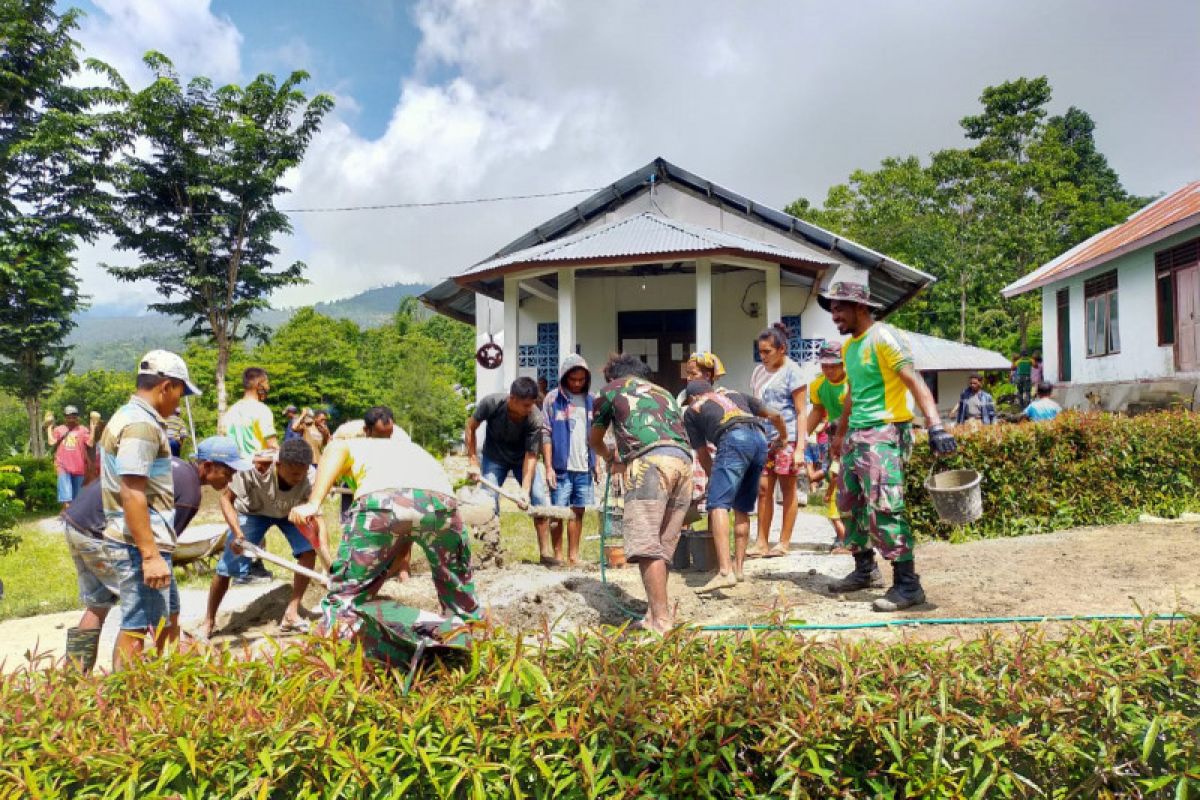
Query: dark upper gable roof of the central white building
(892, 282)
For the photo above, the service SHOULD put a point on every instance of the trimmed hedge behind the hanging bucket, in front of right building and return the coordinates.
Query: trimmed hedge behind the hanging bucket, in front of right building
(1079, 470)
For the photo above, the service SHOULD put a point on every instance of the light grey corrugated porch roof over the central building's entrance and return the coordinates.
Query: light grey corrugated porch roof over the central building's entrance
(646, 234)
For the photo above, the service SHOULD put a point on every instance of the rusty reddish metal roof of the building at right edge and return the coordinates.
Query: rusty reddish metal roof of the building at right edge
(1163, 218)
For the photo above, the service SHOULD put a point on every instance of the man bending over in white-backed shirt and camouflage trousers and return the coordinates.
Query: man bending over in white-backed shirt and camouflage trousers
(403, 497)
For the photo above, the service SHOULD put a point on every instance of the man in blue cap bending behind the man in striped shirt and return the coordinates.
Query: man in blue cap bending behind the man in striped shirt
(217, 461)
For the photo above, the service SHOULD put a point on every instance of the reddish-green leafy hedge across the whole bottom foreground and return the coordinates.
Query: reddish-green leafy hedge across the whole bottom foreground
(1099, 711)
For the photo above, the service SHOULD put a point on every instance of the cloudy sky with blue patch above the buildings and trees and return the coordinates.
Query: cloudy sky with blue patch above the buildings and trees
(448, 100)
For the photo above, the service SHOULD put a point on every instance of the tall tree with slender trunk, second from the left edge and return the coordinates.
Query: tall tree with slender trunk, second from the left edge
(199, 203)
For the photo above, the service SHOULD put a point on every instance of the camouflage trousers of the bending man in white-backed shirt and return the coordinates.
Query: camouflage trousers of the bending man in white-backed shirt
(373, 539)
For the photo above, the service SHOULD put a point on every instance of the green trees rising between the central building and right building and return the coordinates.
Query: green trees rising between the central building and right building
(1028, 188)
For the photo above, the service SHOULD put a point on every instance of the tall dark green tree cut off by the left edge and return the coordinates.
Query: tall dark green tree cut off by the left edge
(55, 148)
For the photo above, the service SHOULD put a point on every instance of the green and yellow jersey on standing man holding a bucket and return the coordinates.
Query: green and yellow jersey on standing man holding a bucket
(873, 363)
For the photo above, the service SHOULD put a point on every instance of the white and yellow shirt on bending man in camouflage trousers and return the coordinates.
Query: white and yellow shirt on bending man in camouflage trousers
(392, 465)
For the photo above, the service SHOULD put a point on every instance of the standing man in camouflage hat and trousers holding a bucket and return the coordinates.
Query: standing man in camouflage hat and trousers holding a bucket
(874, 441)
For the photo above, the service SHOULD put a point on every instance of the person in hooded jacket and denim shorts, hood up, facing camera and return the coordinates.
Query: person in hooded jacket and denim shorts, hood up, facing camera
(571, 461)
